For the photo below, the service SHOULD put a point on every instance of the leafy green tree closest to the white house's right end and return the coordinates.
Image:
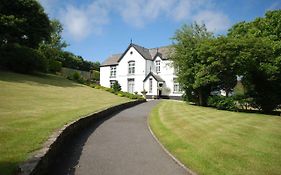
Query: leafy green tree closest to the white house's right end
(193, 71)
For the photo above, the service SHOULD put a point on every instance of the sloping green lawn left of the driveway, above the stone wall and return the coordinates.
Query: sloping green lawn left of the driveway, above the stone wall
(33, 107)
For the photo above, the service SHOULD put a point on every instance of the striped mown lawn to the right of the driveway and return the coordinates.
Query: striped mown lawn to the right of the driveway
(210, 141)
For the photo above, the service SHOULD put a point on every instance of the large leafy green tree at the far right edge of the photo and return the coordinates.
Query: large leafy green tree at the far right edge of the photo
(260, 58)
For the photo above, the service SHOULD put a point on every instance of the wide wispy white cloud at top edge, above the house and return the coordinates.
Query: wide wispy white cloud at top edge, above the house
(141, 12)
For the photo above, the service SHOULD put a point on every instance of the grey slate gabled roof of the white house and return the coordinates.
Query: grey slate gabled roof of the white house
(148, 54)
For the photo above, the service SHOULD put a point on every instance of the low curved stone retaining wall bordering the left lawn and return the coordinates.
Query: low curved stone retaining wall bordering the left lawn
(40, 162)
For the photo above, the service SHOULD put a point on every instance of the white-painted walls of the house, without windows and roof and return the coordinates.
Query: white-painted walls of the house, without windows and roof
(142, 68)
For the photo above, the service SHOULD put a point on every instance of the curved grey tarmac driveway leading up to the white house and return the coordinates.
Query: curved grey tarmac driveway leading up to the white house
(120, 145)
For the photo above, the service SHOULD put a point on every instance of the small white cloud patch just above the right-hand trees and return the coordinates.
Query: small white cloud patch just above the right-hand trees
(215, 21)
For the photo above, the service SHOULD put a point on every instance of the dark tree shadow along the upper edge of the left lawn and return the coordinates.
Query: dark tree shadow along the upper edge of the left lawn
(37, 79)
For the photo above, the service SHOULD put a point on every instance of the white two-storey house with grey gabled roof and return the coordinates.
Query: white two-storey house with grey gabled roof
(140, 69)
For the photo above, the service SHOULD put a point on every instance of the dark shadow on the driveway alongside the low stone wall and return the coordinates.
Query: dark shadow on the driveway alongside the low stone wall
(68, 159)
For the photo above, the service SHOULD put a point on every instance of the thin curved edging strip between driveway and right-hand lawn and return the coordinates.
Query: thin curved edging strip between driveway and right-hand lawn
(190, 172)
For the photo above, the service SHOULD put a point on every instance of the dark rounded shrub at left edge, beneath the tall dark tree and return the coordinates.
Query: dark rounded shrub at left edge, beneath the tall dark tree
(22, 59)
